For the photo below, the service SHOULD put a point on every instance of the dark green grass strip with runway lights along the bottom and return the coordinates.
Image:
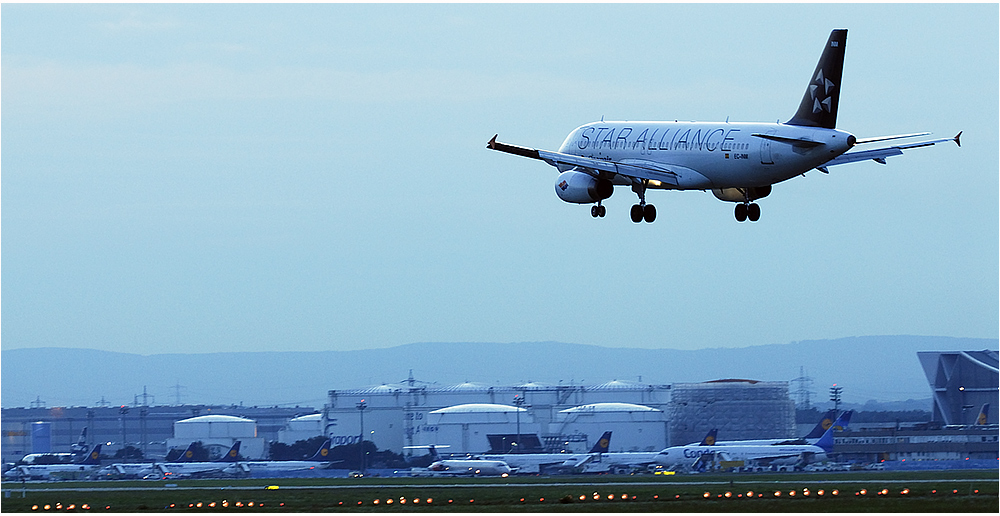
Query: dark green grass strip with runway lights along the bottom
(641, 494)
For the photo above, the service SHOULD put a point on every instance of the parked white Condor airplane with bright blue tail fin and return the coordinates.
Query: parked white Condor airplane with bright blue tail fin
(691, 456)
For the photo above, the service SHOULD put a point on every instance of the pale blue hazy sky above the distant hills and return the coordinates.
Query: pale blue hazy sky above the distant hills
(194, 178)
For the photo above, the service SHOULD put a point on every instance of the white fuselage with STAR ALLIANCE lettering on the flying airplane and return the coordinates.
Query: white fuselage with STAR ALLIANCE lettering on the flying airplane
(709, 155)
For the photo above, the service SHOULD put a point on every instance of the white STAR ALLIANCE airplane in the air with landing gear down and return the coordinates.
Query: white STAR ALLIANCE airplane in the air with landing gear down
(738, 162)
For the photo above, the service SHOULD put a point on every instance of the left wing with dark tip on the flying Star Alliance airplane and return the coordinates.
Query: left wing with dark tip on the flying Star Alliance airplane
(632, 168)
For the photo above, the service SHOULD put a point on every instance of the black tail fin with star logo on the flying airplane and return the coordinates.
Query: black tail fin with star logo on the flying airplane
(819, 104)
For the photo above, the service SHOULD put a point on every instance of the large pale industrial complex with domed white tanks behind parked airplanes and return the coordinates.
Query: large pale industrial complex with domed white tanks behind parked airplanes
(472, 417)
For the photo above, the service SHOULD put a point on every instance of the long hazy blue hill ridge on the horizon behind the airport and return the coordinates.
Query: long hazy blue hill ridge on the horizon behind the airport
(884, 369)
